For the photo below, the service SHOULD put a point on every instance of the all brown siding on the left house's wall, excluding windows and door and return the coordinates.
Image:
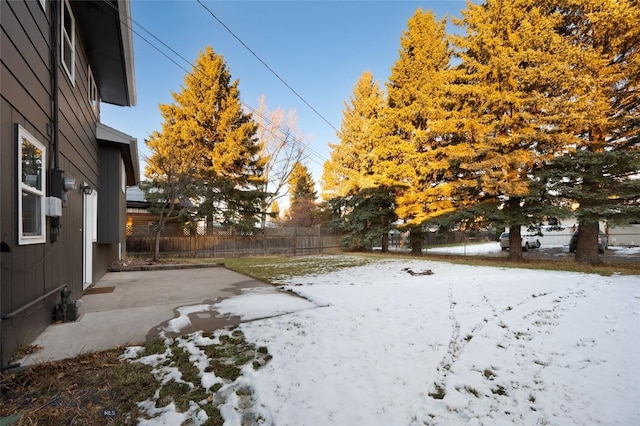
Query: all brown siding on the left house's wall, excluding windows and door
(25, 98)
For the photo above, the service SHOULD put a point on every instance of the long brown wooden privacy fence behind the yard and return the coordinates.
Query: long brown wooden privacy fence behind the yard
(277, 241)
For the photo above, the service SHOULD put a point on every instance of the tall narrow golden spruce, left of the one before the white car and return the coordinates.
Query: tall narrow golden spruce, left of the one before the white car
(415, 126)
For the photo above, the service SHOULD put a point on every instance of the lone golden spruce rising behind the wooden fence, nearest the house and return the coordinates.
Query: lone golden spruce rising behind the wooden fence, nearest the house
(208, 121)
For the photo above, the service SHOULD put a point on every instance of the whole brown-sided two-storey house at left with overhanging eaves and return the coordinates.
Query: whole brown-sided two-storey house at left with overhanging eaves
(63, 174)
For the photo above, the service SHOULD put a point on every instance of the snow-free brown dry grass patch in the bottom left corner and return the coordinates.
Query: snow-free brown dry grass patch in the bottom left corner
(94, 388)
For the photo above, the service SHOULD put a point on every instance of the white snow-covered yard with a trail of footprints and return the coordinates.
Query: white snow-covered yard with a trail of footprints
(375, 345)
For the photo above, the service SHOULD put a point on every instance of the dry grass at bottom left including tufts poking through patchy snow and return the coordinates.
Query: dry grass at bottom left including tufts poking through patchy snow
(100, 388)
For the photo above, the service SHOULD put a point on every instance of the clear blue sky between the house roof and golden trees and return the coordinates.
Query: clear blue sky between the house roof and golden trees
(319, 48)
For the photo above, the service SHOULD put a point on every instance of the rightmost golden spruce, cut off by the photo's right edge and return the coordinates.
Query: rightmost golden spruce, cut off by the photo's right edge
(598, 173)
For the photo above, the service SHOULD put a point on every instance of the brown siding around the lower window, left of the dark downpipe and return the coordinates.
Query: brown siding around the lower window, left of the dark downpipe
(25, 99)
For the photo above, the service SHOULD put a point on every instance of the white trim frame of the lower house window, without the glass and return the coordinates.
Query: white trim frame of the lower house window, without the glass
(41, 238)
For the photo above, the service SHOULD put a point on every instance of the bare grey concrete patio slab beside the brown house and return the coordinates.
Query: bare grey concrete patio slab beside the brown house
(130, 308)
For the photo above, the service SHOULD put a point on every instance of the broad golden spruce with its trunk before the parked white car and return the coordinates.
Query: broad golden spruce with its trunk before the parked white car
(512, 94)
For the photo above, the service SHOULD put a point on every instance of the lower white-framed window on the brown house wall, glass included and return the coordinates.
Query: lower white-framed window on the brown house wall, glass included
(32, 160)
